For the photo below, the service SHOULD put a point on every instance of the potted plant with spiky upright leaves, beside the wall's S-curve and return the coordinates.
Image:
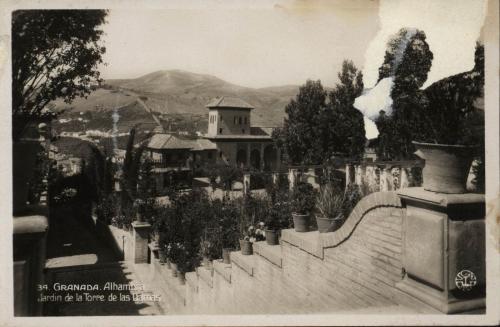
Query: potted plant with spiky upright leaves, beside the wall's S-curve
(330, 208)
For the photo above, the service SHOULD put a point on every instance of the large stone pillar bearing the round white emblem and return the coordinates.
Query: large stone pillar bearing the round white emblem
(444, 249)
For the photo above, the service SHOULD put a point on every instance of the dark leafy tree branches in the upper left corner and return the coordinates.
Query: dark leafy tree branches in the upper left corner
(55, 54)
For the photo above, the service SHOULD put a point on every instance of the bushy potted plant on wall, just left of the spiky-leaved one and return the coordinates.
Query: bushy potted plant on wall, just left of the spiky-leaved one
(303, 196)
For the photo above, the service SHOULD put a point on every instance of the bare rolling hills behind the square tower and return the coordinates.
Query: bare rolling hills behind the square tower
(180, 92)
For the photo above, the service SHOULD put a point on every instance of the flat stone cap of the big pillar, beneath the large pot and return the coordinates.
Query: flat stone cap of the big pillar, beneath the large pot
(440, 199)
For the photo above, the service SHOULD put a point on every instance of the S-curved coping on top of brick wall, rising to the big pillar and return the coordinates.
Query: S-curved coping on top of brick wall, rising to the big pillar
(314, 242)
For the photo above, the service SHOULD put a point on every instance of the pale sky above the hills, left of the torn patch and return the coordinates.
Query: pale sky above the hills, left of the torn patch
(269, 44)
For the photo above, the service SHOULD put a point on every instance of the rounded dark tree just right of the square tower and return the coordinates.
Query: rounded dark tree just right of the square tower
(300, 134)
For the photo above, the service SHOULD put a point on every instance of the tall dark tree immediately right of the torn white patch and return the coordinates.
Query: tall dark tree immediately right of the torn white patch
(408, 60)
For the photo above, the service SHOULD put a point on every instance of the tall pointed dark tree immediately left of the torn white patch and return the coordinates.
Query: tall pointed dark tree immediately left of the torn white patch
(342, 125)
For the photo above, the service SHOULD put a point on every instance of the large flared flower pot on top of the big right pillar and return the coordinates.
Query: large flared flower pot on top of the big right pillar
(446, 166)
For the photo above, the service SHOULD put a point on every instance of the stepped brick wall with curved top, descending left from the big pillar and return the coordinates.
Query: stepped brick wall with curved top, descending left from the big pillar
(354, 268)
